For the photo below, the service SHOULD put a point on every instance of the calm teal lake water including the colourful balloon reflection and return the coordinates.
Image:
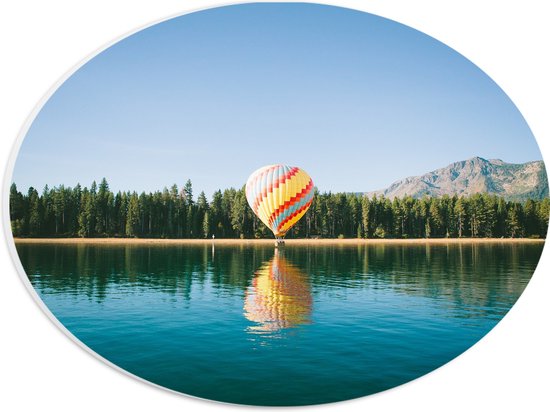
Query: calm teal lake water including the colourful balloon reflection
(304, 325)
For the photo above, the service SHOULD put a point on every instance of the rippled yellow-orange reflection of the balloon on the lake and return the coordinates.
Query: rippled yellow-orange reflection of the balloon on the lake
(279, 297)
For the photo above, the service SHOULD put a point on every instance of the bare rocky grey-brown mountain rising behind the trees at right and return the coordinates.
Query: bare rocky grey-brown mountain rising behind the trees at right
(476, 175)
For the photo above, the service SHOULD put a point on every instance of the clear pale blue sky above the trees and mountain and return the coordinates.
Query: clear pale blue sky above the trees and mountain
(356, 100)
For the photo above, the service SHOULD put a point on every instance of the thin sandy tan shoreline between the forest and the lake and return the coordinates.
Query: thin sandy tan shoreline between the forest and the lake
(288, 242)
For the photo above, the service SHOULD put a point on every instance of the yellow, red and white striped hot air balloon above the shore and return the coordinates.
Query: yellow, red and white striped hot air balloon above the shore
(279, 195)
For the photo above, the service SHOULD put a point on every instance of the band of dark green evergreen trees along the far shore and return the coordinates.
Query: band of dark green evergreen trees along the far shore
(173, 213)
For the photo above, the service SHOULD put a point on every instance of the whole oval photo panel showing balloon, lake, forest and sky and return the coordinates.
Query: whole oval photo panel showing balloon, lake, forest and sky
(279, 204)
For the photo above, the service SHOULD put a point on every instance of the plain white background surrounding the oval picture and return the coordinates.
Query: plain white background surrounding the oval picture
(42, 41)
